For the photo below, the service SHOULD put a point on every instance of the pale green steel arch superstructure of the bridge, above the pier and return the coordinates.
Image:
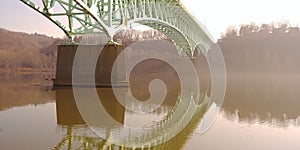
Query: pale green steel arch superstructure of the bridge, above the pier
(77, 17)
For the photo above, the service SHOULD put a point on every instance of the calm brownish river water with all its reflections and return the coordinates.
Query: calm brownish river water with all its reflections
(259, 112)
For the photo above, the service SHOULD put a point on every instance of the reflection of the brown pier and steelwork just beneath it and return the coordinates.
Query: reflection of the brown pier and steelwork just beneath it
(78, 135)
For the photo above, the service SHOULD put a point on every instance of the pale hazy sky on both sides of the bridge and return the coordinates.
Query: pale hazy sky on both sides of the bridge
(217, 15)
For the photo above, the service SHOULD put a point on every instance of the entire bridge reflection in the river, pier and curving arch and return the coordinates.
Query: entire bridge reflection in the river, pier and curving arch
(79, 136)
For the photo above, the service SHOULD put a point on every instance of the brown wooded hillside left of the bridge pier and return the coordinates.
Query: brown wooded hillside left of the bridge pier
(22, 50)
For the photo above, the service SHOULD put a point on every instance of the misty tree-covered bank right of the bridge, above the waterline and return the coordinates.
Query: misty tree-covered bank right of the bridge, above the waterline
(262, 49)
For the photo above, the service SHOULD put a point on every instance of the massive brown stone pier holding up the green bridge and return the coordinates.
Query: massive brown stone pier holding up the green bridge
(65, 59)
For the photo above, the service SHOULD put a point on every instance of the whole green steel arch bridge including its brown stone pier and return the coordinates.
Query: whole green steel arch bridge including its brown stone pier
(108, 17)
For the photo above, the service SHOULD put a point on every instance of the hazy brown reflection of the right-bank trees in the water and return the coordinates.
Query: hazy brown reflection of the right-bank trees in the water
(272, 100)
